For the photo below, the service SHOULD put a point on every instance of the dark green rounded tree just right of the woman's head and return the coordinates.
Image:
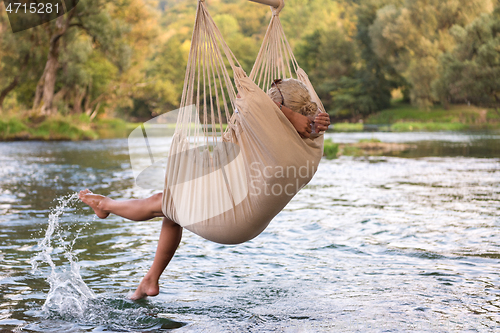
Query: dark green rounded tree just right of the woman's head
(350, 79)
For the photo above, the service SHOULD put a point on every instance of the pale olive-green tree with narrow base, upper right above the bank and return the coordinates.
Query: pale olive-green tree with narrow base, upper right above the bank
(412, 36)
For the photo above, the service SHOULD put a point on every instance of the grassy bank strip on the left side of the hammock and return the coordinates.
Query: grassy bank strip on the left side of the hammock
(59, 128)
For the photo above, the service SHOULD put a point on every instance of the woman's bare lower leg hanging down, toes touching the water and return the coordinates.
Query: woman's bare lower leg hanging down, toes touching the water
(170, 237)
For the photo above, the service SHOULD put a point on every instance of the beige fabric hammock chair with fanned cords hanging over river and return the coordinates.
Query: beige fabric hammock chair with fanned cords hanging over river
(235, 163)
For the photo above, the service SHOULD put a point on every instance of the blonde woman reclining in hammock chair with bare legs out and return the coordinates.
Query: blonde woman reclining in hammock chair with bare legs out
(293, 99)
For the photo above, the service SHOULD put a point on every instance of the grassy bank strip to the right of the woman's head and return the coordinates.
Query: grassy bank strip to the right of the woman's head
(407, 118)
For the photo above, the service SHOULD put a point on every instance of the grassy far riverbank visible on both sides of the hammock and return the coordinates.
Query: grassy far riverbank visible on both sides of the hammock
(399, 118)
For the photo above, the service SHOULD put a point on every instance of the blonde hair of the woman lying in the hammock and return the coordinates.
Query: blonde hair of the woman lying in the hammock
(295, 96)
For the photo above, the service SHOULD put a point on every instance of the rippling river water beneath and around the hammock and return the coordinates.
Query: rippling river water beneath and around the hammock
(402, 243)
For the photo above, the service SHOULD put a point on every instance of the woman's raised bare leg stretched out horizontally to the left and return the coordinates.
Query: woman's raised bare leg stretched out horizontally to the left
(134, 209)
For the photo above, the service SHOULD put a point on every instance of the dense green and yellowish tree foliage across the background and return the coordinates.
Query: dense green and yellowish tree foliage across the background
(127, 57)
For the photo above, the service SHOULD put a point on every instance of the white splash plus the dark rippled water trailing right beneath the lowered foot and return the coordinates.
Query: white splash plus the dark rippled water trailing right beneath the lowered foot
(71, 300)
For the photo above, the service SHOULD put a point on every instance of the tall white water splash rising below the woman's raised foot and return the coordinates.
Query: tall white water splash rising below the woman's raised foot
(69, 295)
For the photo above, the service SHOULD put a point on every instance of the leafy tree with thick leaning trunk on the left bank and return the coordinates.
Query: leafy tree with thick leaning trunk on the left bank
(111, 28)
